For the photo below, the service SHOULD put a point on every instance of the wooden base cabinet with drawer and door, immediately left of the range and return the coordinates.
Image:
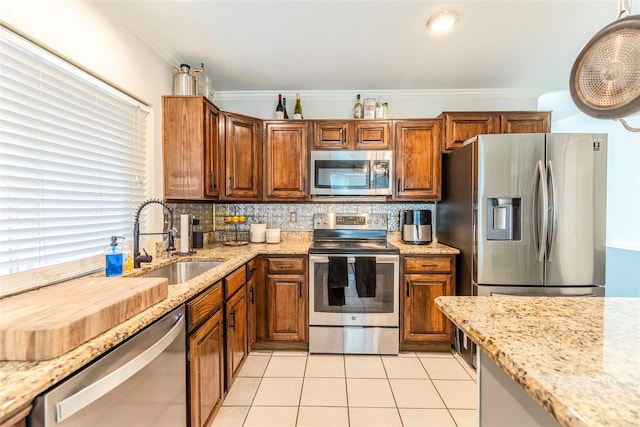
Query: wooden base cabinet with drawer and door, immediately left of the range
(287, 299)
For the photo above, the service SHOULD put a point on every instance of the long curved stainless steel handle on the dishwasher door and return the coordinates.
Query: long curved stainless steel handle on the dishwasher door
(96, 390)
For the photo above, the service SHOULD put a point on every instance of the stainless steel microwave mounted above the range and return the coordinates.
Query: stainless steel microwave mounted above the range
(351, 173)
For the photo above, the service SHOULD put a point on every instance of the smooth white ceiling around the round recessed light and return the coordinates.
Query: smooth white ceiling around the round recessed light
(369, 44)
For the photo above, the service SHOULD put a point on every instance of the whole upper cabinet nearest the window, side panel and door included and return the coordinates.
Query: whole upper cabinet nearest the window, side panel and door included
(190, 148)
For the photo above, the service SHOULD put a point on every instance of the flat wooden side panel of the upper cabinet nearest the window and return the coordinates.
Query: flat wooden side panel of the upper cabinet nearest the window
(183, 151)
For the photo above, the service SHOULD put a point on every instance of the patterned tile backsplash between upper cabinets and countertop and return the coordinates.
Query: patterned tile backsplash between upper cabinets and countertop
(288, 217)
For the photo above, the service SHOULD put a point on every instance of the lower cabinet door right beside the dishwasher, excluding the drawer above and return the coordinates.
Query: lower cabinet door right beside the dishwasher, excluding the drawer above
(206, 370)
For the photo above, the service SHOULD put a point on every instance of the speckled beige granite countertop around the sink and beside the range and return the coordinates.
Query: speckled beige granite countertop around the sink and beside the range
(22, 381)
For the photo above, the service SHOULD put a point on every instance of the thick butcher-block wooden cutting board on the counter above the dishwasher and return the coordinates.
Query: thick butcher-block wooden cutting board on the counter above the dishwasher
(48, 322)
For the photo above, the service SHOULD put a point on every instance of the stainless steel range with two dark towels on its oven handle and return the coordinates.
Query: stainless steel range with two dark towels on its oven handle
(354, 285)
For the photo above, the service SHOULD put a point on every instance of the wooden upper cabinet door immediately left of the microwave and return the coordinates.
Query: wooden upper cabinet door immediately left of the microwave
(286, 161)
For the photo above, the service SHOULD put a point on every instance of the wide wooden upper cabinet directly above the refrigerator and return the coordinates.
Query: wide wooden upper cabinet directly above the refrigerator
(460, 126)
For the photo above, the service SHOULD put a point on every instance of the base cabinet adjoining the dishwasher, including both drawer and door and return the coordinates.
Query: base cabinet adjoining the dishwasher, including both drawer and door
(205, 355)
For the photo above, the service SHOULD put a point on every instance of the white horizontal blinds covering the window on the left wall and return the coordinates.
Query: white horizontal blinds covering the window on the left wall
(73, 166)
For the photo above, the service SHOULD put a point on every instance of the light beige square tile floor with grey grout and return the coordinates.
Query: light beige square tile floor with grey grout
(292, 388)
